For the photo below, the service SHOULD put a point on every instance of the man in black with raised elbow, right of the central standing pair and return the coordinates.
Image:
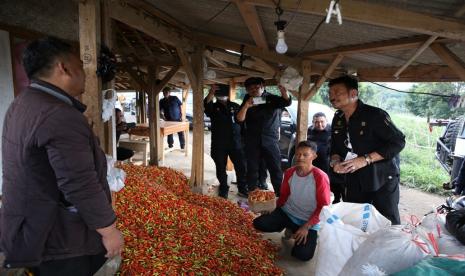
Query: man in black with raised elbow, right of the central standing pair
(261, 112)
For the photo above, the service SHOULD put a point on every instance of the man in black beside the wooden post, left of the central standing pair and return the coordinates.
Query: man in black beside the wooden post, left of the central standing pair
(226, 138)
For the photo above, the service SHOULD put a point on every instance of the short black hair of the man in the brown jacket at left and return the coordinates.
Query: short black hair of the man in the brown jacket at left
(39, 55)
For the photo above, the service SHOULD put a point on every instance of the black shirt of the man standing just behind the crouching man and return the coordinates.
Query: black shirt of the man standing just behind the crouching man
(322, 138)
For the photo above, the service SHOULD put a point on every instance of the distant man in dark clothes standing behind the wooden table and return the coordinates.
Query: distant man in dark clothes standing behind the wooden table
(170, 106)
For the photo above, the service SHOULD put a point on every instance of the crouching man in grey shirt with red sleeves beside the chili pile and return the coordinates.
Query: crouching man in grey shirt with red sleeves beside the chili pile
(304, 192)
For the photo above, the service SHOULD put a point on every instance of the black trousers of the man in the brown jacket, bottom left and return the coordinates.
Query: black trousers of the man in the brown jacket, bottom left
(77, 266)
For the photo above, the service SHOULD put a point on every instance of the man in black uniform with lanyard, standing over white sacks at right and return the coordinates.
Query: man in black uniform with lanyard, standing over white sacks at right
(364, 145)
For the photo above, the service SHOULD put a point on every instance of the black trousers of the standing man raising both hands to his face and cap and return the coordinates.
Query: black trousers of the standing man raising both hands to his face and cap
(272, 157)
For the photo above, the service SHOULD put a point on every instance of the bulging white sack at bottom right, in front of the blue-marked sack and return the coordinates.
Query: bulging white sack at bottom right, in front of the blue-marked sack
(391, 250)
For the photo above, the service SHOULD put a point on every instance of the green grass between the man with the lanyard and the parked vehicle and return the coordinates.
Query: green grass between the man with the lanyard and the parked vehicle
(419, 167)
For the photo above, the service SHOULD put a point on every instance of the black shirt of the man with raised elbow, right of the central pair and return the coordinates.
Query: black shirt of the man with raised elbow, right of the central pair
(262, 121)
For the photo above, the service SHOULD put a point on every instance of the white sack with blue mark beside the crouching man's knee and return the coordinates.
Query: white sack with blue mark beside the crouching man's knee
(336, 243)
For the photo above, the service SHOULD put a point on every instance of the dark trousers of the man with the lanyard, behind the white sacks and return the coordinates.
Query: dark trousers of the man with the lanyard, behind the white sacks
(385, 200)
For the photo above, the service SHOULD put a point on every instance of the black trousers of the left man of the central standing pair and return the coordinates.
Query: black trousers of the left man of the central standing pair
(220, 157)
